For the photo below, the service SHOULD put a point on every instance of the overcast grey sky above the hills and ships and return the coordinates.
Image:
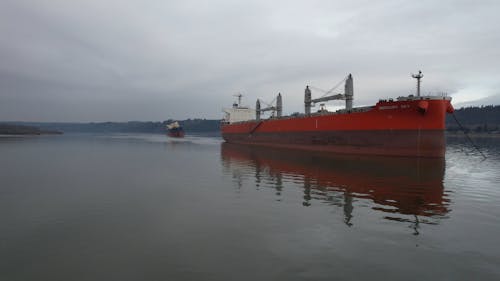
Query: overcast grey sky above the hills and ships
(86, 60)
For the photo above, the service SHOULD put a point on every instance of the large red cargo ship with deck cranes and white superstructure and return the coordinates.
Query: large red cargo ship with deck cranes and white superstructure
(406, 126)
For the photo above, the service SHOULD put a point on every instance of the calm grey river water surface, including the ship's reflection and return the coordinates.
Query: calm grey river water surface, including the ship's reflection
(145, 207)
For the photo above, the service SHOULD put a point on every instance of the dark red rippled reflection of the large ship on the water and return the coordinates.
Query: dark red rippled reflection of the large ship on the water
(408, 186)
